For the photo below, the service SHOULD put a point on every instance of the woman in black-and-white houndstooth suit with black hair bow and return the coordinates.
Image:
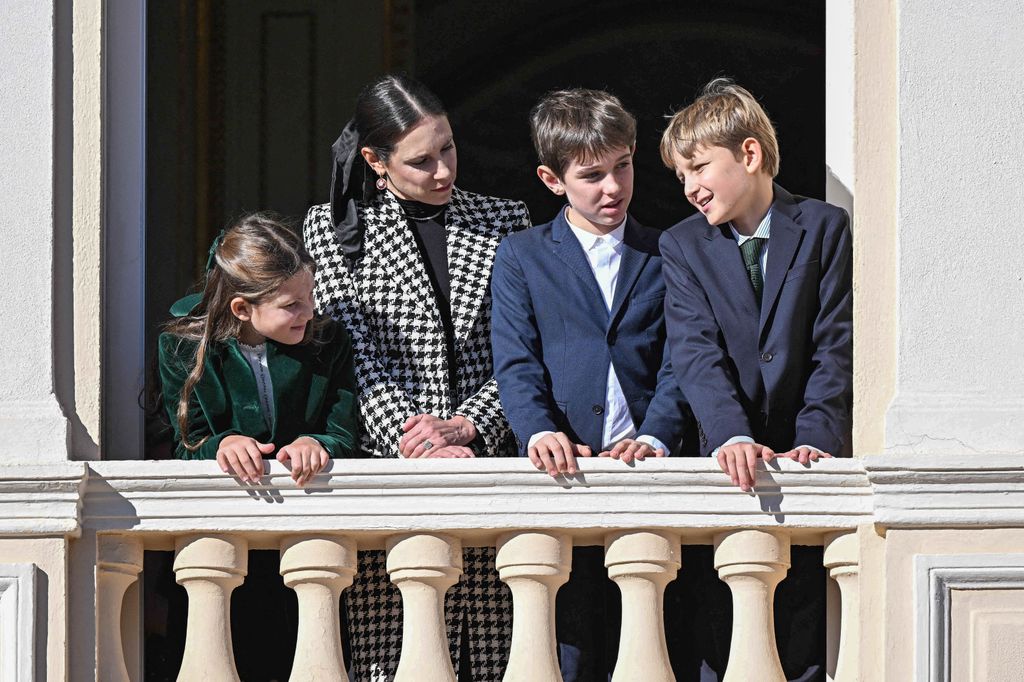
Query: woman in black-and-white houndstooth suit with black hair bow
(404, 262)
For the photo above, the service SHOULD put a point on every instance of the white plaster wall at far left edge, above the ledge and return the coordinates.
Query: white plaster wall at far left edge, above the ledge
(32, 428)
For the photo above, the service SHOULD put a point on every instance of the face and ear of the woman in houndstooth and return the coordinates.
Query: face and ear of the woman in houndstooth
(422, 167)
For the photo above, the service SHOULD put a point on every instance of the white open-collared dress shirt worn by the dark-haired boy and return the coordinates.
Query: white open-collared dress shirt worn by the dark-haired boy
(605, 253)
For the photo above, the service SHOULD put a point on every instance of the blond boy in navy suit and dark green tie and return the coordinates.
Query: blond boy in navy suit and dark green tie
(759, 314)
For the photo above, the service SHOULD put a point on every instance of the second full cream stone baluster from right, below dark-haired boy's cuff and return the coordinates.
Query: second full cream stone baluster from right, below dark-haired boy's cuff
(643, 563)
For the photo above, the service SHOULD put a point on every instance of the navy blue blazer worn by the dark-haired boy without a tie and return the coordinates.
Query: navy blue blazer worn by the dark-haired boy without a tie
(553, 338)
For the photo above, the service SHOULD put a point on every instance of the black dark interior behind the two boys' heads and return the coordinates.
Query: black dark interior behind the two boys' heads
(490, 63)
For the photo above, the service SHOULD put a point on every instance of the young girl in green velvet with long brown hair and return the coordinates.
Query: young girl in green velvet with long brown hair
(246, 368)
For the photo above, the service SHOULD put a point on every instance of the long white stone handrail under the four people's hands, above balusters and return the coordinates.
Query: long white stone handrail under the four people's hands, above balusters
(367, 497)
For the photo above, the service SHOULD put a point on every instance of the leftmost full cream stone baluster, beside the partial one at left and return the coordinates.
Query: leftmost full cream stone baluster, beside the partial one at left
(209, 568)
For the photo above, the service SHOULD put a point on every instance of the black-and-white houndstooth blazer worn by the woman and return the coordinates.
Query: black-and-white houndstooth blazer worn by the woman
(387, 303)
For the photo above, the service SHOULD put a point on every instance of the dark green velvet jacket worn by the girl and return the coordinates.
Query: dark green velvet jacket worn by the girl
(314, 394)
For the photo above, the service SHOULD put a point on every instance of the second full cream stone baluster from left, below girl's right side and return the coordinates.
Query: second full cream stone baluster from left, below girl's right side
(319, 569)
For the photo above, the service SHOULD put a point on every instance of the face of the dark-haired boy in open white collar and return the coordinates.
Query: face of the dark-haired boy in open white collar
(599, 191)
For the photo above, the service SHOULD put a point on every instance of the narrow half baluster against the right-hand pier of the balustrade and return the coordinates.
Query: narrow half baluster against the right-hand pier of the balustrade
(842, 559)
